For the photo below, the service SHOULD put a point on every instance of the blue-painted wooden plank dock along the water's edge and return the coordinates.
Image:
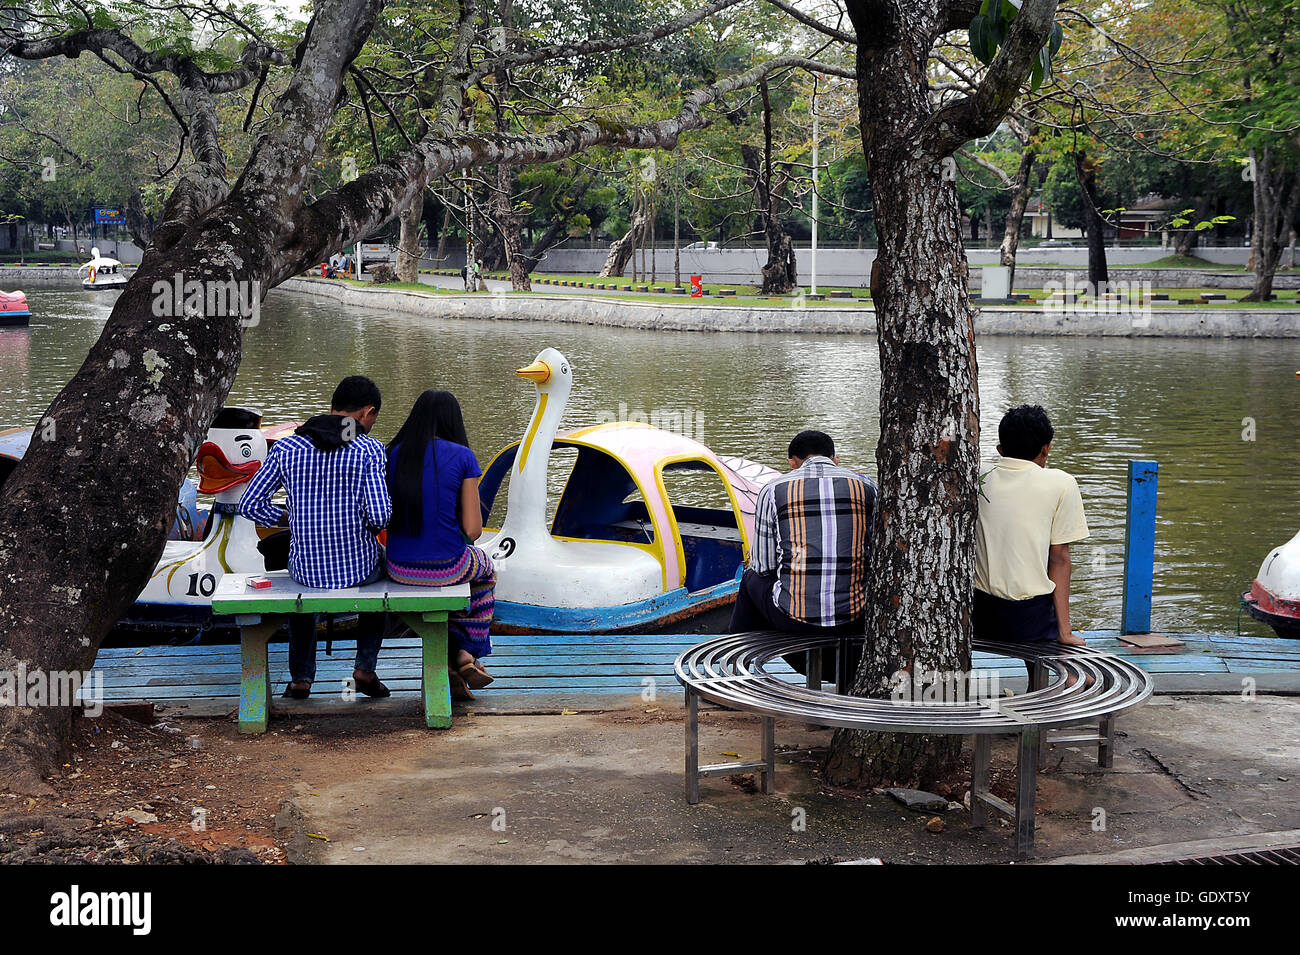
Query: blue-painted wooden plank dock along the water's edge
(583, 672)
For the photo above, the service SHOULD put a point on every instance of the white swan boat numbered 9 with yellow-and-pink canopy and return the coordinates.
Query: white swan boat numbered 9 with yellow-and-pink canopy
(621, 554)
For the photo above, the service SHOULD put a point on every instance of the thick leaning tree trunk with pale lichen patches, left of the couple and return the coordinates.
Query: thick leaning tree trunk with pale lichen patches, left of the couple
(85, 515)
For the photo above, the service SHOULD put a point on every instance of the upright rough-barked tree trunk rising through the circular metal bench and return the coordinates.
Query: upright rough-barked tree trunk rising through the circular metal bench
(924, 542)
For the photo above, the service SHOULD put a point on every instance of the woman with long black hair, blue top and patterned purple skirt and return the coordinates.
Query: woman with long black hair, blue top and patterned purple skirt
(436, 520)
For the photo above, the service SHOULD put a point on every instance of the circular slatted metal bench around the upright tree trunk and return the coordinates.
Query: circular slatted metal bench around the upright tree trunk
(1068, 687)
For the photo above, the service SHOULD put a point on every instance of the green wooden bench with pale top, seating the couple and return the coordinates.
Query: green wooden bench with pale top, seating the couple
(262, 613)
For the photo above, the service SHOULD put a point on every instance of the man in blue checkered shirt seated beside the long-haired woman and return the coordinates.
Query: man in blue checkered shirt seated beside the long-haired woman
(337, 500)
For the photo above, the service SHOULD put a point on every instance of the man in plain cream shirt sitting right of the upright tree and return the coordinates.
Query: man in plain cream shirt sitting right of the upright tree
(1029, 516)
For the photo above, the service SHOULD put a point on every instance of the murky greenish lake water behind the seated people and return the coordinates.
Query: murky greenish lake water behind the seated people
(1224, 501)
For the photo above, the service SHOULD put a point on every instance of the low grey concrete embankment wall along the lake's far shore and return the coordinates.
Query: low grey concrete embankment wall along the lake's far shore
(1159, 322)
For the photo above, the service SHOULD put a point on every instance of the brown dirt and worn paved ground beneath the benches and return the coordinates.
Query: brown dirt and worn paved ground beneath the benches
(608, 788)
